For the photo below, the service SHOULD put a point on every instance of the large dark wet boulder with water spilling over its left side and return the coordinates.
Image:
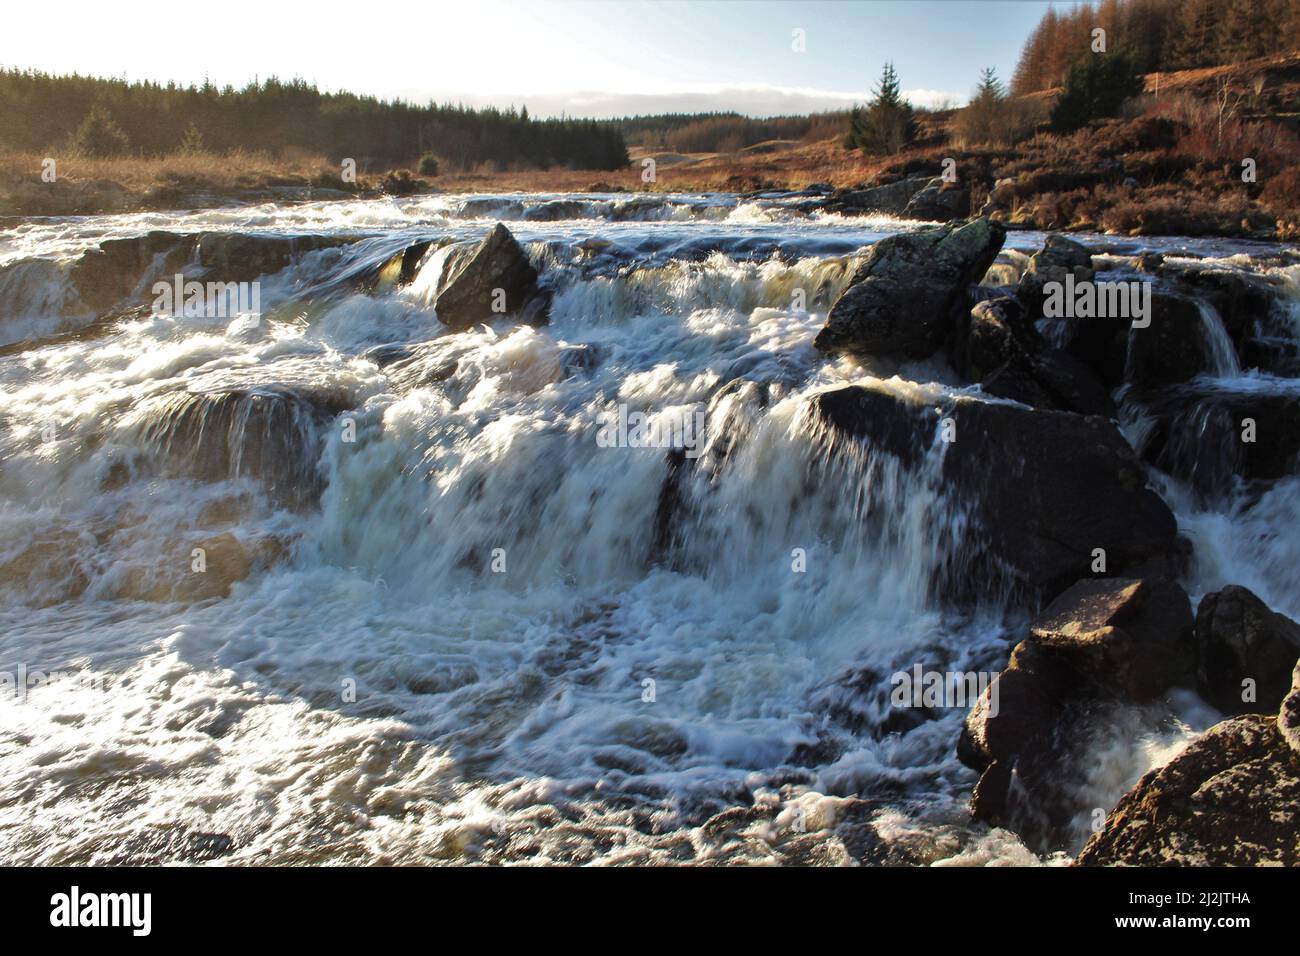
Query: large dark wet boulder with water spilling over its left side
(1045, 488)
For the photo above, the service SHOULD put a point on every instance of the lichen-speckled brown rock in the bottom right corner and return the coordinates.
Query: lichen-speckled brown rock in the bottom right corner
(1230, 799)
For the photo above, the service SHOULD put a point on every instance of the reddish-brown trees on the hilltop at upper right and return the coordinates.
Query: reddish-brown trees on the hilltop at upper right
(1158, 36)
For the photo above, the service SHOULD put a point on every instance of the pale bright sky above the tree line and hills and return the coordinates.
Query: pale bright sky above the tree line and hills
(582, 58)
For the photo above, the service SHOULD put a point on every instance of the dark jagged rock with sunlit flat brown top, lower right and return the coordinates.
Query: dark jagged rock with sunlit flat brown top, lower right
(1100, 643)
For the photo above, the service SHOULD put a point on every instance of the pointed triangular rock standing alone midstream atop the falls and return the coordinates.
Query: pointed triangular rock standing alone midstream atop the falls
(473, 275)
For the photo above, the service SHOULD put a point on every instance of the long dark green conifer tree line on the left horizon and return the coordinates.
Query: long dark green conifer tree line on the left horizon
(40, 111)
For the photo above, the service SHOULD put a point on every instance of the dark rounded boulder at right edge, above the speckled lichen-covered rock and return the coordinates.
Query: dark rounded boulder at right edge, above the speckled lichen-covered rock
(1240, 638)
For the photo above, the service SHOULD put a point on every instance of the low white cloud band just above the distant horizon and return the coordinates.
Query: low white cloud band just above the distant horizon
(752, 101)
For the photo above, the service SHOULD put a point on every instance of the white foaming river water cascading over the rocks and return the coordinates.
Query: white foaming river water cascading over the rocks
(460, 630)
